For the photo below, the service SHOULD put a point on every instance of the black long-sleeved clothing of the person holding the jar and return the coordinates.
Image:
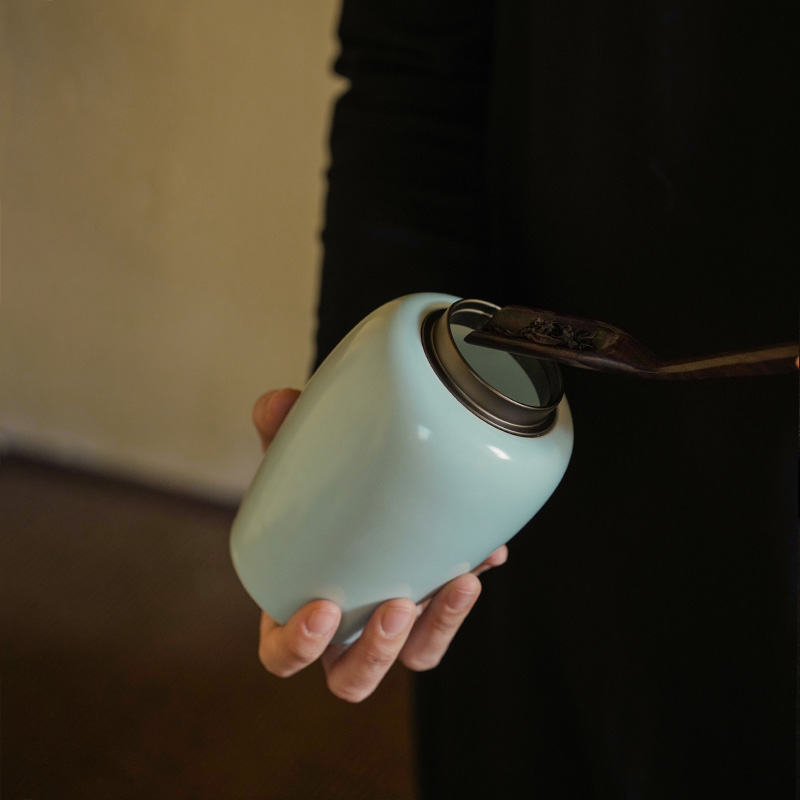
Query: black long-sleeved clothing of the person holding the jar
(631, 163)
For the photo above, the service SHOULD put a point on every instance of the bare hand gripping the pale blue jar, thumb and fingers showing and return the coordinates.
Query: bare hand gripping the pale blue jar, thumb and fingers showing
(416, 635)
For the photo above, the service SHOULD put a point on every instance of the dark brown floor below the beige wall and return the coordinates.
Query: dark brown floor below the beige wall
(128, 664)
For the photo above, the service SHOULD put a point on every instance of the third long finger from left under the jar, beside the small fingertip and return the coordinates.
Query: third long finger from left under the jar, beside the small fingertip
(439, 623)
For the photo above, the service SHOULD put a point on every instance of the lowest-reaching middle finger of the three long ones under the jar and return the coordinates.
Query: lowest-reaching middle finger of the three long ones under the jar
(355, 672)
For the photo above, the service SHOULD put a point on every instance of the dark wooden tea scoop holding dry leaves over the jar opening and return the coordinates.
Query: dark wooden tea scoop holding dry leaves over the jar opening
(602, 347)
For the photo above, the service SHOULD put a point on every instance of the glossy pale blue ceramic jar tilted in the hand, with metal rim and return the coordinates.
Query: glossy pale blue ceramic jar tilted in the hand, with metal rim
(409, 457)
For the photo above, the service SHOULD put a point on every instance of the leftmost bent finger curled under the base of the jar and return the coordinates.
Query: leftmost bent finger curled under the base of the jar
(286, 649)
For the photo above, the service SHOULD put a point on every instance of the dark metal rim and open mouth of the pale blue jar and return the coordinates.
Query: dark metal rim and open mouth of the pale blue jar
(467, 369)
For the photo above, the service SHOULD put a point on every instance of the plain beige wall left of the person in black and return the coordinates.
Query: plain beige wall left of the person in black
(162, 181)
